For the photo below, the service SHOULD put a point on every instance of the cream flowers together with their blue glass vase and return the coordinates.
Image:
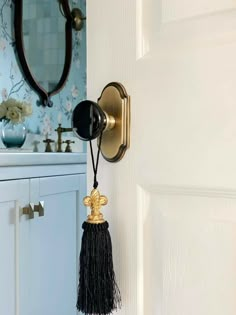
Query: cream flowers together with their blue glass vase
(12, 115)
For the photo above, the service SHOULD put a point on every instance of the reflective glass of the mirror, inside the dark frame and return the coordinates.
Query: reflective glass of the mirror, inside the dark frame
(43, 28)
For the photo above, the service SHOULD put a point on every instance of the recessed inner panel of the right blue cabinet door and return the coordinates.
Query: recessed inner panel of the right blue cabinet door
(53, 256)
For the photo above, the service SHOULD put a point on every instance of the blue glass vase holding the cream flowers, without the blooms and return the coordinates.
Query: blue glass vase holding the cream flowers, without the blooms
(13, 134)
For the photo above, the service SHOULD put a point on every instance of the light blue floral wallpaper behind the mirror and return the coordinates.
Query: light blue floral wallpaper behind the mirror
(12, 83)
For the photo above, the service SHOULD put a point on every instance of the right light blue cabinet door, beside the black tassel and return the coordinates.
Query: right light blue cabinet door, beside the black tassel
(52, 250)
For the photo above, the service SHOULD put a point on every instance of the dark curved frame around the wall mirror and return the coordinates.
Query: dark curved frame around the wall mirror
(18, 27)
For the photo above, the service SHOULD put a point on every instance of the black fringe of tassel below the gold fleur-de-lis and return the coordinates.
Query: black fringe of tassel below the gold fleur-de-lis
(98, 293)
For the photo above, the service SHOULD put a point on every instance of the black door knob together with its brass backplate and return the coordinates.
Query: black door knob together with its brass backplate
(110, 116)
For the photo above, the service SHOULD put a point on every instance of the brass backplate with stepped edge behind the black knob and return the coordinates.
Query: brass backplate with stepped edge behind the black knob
(115, 101)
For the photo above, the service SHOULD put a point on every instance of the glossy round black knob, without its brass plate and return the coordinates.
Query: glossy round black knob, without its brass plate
(88, 120)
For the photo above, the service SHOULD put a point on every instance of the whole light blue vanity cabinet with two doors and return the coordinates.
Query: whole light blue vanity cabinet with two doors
(39, 256)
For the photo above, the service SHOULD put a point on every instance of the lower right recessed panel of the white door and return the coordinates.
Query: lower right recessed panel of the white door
(193, 232)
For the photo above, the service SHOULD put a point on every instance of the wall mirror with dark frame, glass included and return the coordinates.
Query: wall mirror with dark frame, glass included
(43, 36)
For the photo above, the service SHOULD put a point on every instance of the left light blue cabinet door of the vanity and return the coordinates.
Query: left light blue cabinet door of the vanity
(13, 195)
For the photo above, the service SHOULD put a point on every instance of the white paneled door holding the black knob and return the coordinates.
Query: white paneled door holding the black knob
(172, 208)
